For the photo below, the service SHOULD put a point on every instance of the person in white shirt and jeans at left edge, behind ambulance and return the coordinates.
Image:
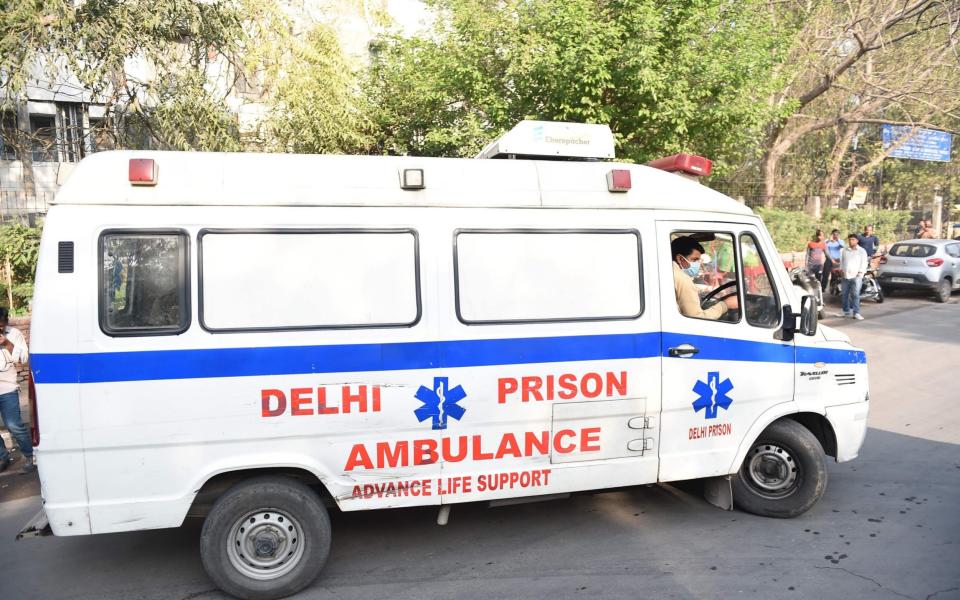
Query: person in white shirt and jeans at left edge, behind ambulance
(13, 350)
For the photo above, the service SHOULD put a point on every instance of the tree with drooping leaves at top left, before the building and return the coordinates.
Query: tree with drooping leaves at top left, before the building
(148, 63)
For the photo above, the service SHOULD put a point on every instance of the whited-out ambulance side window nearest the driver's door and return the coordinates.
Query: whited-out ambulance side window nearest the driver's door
(516, 276)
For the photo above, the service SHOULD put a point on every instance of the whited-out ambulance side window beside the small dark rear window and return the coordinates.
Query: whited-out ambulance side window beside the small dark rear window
(289, 279)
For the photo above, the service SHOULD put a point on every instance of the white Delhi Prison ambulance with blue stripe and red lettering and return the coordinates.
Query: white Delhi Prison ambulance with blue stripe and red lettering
(257, 339)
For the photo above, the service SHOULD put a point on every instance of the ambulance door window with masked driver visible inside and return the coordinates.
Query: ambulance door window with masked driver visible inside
(705, 275)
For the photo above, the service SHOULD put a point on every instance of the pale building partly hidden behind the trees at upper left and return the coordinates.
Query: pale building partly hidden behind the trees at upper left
(58, 122)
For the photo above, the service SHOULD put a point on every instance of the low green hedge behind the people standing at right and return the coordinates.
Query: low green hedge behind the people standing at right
(791, 230)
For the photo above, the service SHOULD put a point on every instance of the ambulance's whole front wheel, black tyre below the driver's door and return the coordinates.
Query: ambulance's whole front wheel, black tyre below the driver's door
(783, 474)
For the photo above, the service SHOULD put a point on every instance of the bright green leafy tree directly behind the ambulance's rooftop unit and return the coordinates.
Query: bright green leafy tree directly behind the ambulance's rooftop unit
(693, 75)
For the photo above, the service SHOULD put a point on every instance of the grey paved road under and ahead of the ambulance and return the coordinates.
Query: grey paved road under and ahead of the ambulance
(888, 526)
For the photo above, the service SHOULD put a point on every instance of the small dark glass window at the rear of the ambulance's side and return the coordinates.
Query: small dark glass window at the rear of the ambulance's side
(144, 283)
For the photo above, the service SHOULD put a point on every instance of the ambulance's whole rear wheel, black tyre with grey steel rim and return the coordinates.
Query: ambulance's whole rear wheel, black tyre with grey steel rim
(281, 550)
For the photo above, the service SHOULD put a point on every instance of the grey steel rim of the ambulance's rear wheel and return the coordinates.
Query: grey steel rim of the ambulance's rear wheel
(265, 544)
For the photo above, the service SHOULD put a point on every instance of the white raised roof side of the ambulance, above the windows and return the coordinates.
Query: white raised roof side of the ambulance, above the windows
(252, 179)
